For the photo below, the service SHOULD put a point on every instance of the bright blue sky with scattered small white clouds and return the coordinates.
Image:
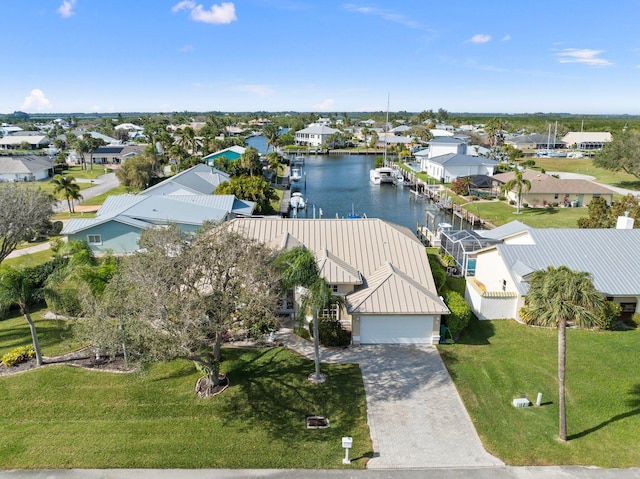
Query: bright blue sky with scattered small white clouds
(511, 56)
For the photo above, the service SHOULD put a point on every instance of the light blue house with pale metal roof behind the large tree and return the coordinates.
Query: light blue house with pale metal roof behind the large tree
(121, 219)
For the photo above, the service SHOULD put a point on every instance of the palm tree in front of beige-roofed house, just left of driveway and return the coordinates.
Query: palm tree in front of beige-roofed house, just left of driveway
(299, 268)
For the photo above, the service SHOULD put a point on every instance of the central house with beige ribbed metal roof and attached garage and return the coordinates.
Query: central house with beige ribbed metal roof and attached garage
(380, 268)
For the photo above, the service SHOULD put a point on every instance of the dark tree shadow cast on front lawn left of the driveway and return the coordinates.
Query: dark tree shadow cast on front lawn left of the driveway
(271, 391)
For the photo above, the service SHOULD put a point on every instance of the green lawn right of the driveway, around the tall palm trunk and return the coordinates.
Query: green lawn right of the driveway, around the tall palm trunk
(496, 361)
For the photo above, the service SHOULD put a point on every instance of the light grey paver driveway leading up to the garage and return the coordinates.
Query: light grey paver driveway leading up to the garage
(416, 417)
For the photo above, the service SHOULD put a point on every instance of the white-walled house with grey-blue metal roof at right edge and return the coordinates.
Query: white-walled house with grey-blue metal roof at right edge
(503, 270)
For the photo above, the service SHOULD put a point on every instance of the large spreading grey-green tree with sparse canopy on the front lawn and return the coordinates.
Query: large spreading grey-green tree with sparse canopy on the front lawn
(180, 296)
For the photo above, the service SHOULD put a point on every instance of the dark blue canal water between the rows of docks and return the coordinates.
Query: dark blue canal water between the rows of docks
(339, 185)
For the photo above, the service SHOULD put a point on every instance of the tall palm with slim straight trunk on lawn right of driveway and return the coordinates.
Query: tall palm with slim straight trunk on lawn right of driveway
(556, 297)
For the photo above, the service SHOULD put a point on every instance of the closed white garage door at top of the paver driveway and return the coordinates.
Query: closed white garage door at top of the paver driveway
(396, 329)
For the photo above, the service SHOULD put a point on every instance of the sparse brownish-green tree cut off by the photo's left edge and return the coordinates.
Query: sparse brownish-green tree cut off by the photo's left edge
(24, 214)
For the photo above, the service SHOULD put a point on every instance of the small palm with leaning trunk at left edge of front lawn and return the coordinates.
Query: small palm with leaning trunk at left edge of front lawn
(17, 287)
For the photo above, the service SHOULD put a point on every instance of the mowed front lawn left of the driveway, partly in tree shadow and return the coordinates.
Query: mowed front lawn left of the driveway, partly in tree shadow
(65, 417)
